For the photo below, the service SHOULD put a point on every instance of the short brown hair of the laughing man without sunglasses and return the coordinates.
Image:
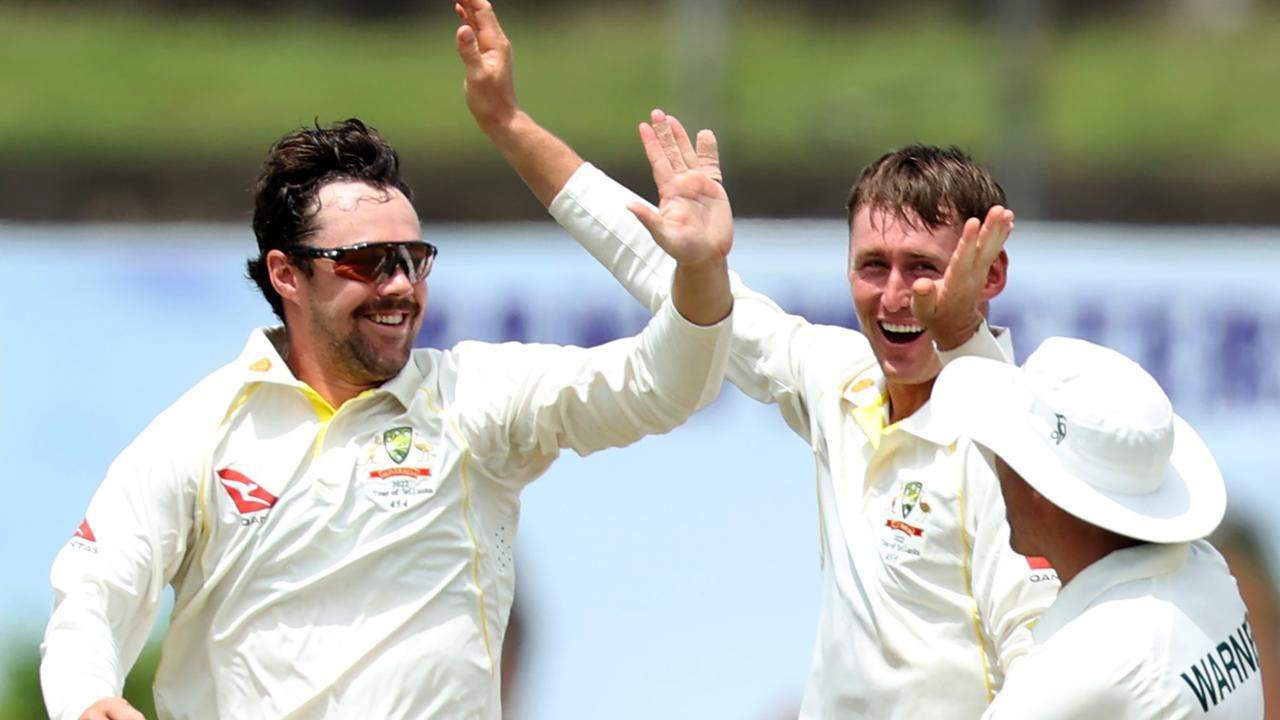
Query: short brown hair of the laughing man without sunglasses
(926, 184)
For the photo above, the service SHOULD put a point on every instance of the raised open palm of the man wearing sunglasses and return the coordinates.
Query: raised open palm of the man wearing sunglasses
(694, 222)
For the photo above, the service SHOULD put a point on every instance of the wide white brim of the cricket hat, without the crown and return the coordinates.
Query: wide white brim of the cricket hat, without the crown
(990, 403)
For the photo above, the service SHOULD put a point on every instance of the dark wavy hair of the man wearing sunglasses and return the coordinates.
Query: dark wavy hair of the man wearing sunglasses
(296, 168)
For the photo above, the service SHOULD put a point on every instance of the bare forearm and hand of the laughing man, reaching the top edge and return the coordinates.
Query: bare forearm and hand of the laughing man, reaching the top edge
(543, 161)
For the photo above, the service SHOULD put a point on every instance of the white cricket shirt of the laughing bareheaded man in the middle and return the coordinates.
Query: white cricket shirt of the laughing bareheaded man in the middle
(925, 604)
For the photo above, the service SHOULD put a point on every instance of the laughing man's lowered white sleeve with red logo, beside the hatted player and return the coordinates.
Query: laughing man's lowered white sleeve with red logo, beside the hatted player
(1012, 591)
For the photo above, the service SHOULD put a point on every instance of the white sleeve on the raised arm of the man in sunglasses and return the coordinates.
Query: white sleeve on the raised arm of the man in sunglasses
(537, 399)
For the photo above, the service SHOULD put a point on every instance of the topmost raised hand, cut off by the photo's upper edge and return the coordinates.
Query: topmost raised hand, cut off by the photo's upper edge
(490, 86)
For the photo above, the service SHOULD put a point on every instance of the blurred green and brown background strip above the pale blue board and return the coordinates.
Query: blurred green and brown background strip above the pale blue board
(162, 110)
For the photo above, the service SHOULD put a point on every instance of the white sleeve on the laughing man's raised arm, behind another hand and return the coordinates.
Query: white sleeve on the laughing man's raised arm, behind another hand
(771, 358)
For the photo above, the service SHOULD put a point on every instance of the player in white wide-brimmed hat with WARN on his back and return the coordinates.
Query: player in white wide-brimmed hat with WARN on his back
(1117, 491)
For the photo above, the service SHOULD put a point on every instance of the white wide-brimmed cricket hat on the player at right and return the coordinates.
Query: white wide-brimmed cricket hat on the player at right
(1094, 434)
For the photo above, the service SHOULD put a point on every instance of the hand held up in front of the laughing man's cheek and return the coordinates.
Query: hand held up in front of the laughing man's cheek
(950, 309)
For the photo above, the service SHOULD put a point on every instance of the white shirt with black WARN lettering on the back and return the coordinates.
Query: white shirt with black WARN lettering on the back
(1154, 631)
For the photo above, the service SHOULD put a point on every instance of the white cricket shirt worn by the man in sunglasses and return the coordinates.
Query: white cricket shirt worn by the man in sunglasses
(350, 563)
